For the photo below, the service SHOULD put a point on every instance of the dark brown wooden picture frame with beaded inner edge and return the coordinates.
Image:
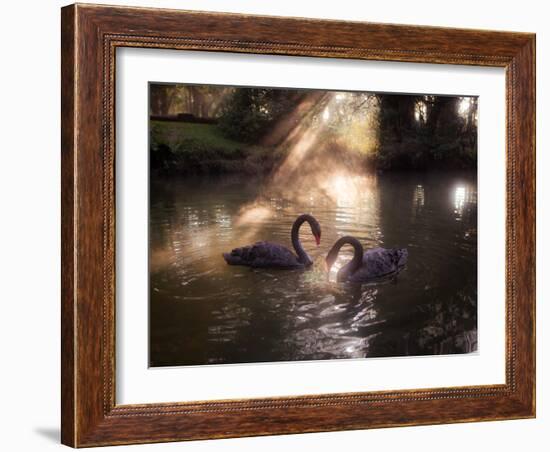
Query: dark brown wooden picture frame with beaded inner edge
(90, 35)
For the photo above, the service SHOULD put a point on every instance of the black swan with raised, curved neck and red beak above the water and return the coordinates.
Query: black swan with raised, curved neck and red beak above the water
(273, 255)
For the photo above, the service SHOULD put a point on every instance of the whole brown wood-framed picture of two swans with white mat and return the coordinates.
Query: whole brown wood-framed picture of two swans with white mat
(281, 225)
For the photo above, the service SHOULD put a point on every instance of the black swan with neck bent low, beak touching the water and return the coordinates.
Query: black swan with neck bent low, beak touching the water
(364, 267)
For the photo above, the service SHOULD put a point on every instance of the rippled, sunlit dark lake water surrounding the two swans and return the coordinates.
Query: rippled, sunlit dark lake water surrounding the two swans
(203, 311)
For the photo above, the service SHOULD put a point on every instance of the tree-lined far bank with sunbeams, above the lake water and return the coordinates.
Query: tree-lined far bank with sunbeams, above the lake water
(213, 130)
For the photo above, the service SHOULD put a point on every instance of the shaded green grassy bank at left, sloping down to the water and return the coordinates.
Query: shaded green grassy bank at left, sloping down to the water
(181, 147)
